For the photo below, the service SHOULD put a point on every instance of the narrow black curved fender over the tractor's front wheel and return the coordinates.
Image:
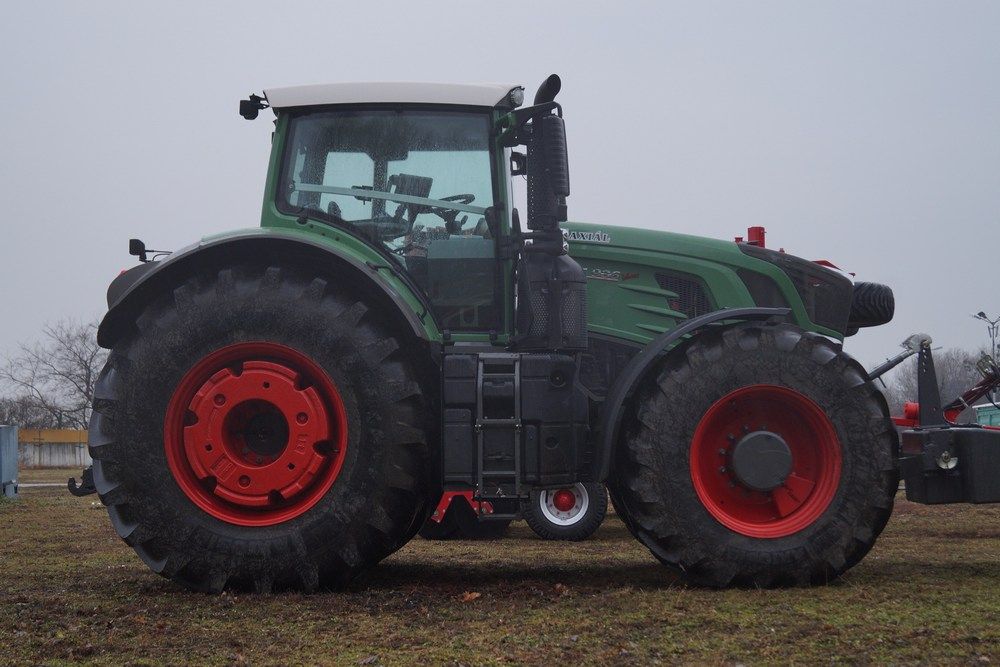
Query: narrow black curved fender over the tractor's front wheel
(637, 370)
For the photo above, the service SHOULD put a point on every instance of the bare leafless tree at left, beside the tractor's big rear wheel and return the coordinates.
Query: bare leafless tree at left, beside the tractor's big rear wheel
(56, 376)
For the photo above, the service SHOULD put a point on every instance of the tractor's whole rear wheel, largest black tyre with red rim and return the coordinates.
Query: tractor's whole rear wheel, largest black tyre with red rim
(260, 429)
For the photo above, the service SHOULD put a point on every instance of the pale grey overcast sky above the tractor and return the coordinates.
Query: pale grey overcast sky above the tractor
(862, 132)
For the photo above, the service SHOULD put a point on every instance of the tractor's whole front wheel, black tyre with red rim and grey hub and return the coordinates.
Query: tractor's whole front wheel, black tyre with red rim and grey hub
(761, 456)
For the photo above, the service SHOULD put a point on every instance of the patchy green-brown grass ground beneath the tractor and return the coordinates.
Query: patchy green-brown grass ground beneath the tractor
(70, 590)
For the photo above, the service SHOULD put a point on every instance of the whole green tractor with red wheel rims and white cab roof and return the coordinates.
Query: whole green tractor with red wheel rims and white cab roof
(284, 406)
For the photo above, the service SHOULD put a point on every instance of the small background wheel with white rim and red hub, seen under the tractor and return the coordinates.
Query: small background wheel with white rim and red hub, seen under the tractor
(572, 513)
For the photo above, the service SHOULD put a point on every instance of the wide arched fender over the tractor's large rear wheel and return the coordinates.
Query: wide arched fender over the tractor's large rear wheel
(130, 291)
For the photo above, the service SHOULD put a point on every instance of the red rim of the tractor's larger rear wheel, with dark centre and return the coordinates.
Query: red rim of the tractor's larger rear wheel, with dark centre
(255, 433)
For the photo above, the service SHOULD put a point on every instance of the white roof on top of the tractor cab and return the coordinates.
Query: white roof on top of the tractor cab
(485, 94)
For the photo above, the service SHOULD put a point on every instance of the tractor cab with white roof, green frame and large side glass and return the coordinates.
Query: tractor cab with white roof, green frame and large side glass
(413, 170)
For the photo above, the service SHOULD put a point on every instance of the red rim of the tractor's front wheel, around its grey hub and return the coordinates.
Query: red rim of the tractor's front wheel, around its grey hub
(810, 485)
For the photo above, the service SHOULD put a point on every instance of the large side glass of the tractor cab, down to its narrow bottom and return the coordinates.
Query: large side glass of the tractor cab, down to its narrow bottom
(417, 182)
